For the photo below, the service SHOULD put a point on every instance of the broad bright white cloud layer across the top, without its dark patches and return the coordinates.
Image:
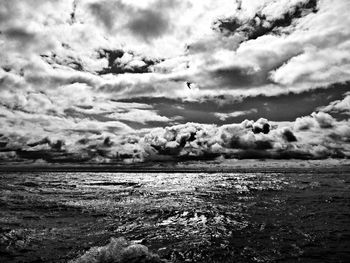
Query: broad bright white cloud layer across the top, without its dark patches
(270, 64)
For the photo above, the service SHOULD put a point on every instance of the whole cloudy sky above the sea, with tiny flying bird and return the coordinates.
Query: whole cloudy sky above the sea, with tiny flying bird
(123, 81)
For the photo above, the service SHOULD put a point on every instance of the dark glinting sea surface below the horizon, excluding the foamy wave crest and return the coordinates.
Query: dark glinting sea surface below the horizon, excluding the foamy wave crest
(196, 217)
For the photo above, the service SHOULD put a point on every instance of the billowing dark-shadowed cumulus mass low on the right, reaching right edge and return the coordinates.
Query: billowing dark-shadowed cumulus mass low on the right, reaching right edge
(248, 139)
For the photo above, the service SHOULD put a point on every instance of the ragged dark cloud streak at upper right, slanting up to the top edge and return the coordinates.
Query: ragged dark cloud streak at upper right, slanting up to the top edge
(261, 25)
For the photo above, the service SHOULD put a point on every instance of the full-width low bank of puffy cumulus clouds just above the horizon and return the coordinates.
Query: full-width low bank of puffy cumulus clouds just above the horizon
(316, 136)
